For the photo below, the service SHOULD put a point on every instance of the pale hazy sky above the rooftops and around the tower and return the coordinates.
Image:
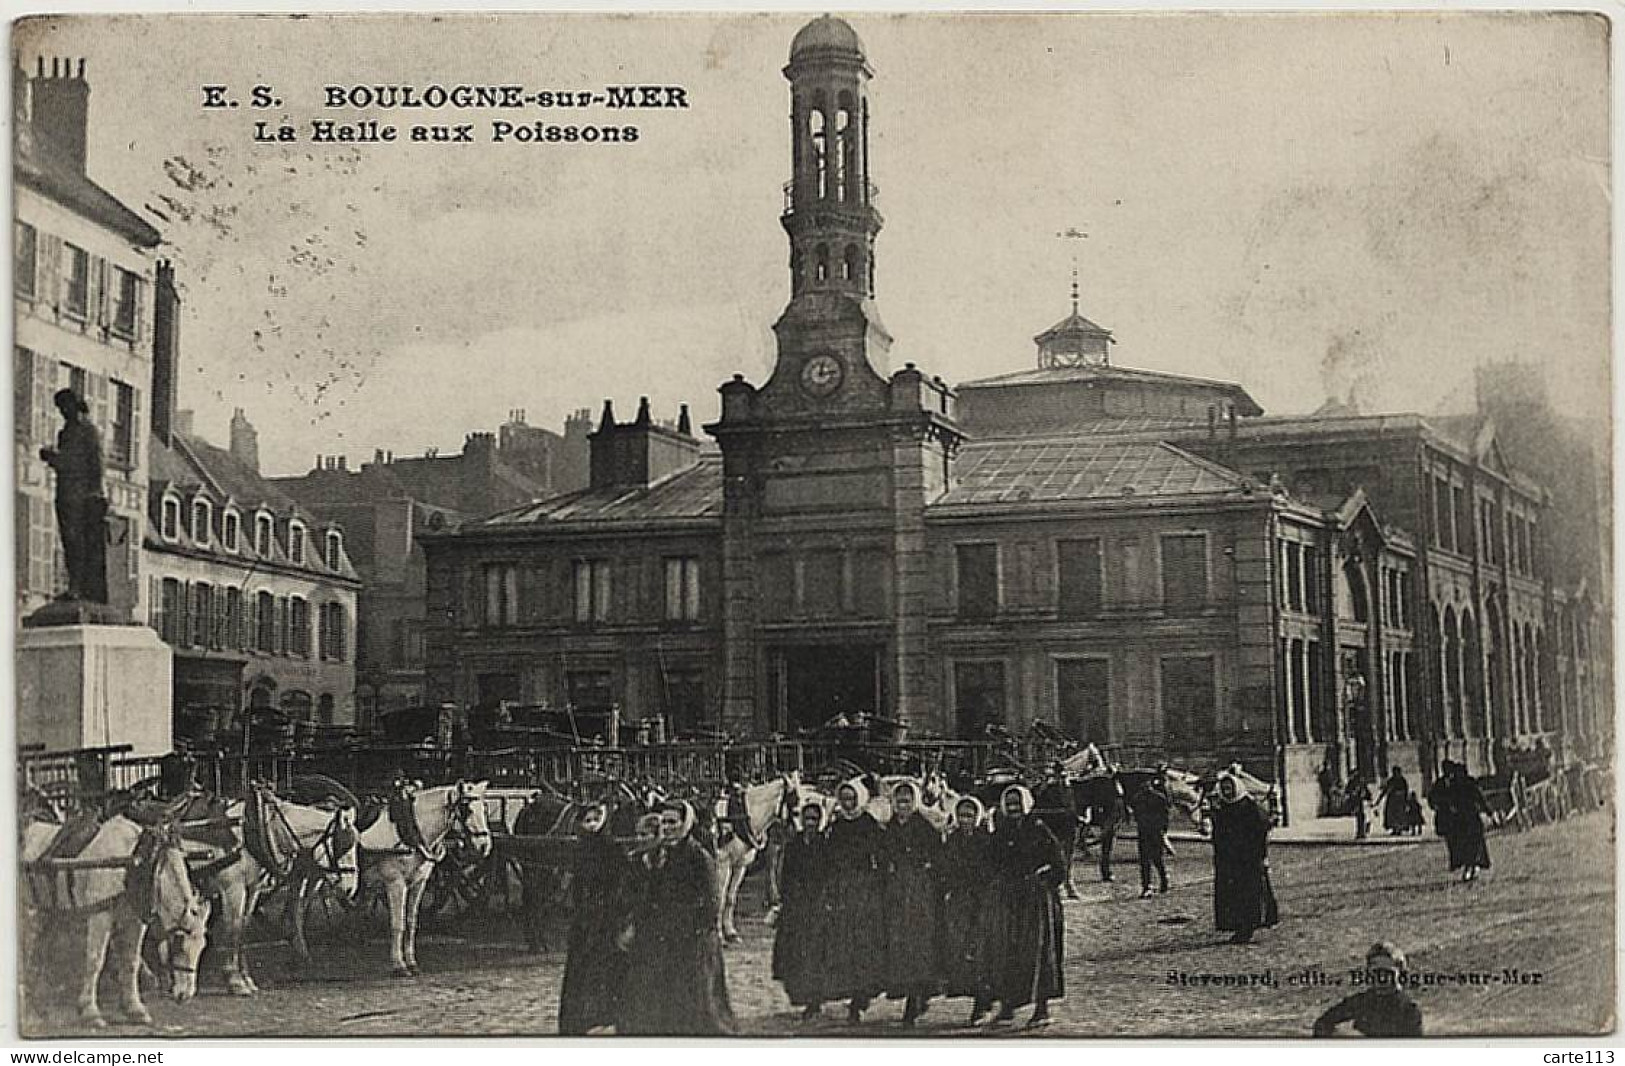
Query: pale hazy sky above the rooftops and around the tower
(1315, 206)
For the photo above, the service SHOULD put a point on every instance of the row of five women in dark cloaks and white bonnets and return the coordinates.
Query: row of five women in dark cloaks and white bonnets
(909, 912)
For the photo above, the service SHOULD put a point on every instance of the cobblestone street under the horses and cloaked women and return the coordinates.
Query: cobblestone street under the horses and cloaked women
(1533, 942)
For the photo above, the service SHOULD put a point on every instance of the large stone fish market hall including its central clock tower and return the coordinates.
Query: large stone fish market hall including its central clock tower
(1138, 558)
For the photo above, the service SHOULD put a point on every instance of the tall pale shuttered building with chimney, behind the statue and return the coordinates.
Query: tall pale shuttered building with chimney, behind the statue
(89, 300)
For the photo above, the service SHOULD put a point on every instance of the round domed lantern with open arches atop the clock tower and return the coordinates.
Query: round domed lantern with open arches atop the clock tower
(830, 202)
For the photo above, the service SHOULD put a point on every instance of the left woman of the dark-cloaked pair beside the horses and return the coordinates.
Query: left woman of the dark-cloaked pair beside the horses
(594, 968)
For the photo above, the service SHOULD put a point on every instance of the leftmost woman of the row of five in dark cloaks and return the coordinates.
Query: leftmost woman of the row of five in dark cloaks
(804, 916)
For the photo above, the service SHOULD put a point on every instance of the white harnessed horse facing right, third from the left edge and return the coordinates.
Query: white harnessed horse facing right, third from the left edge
(402, 867)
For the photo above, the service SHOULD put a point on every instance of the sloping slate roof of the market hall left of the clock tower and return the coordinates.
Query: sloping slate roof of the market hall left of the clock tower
(693, 493)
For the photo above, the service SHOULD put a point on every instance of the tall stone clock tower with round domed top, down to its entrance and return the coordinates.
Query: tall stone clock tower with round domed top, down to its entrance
(830, 466)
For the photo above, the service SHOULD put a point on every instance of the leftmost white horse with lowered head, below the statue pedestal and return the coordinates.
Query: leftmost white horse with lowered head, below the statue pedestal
(129, 878)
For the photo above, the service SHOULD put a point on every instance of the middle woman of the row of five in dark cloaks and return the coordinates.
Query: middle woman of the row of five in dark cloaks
(911, 852)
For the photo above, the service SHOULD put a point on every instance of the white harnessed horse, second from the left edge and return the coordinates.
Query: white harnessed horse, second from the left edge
(326, 844)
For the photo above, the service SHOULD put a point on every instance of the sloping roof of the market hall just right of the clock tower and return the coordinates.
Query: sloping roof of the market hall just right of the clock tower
(1081, 469)
